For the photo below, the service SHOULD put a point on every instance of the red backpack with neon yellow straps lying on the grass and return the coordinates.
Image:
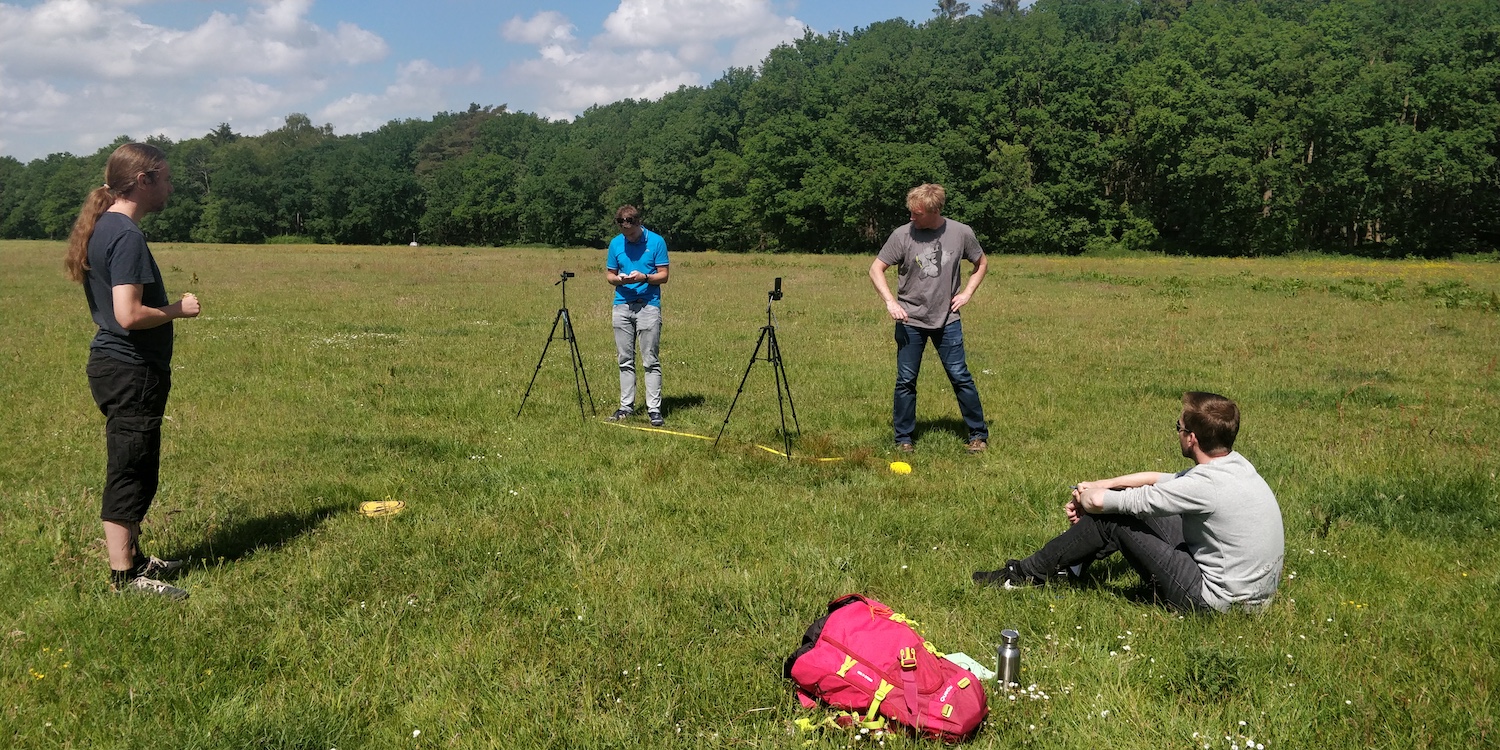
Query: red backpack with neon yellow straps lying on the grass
(862, 656)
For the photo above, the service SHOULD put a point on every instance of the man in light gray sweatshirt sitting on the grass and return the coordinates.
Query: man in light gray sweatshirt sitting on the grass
(1208, 538)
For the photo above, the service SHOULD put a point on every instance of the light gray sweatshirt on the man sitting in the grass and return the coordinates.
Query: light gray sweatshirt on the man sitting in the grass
(1231, 523)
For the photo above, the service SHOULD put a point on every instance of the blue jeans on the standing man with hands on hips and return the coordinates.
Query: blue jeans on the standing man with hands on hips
(911, 343)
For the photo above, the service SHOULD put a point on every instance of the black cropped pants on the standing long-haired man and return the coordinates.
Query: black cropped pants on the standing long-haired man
(133, 400)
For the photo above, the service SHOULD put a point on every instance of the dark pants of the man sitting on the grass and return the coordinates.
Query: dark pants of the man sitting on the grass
(1153, 547)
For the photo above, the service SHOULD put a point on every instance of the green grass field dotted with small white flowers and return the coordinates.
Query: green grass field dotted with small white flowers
(565, 583)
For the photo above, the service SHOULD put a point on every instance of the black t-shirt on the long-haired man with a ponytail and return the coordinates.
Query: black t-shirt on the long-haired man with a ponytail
(118, 254)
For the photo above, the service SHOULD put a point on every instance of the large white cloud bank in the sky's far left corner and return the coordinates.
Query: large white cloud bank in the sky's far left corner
(76, 74)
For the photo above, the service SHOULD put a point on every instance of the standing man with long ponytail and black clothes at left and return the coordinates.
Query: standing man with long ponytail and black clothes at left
(130, 359)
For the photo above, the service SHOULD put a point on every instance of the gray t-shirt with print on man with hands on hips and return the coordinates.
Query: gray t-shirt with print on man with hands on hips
(928, 265)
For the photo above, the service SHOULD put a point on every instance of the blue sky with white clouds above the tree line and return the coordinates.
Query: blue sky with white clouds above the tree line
(76, 74)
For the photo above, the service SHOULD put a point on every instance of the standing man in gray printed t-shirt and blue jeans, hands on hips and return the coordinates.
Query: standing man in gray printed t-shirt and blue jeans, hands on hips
(926, 254)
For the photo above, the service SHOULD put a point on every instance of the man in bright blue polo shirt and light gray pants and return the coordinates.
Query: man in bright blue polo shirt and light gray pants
(637, 268)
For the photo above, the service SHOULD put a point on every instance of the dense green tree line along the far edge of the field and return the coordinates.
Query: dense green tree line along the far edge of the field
(1189, 127)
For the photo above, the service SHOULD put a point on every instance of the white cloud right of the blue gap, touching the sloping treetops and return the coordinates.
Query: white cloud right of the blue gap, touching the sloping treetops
(649, 49)
